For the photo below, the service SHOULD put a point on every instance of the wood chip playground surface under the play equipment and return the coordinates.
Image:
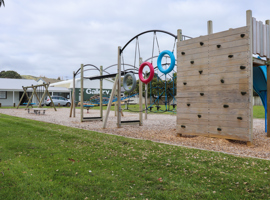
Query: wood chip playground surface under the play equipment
(158, 128)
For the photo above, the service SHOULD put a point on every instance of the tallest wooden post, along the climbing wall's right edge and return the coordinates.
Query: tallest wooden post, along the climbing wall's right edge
(249, 25)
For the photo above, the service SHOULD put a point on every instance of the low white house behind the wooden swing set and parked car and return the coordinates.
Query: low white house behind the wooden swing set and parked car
(11, 91)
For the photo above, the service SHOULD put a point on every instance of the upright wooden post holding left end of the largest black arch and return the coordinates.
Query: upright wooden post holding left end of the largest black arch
(119, 89)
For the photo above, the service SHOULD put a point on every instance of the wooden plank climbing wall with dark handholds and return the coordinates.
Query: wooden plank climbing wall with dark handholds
(214, 85)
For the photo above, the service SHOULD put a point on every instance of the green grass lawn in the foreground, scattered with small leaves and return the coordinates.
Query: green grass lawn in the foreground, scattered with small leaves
(47, 161)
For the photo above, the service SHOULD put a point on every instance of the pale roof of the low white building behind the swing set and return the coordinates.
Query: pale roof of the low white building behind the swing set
(9, 84)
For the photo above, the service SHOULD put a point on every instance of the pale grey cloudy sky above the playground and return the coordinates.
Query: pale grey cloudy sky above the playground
(53, 38)
